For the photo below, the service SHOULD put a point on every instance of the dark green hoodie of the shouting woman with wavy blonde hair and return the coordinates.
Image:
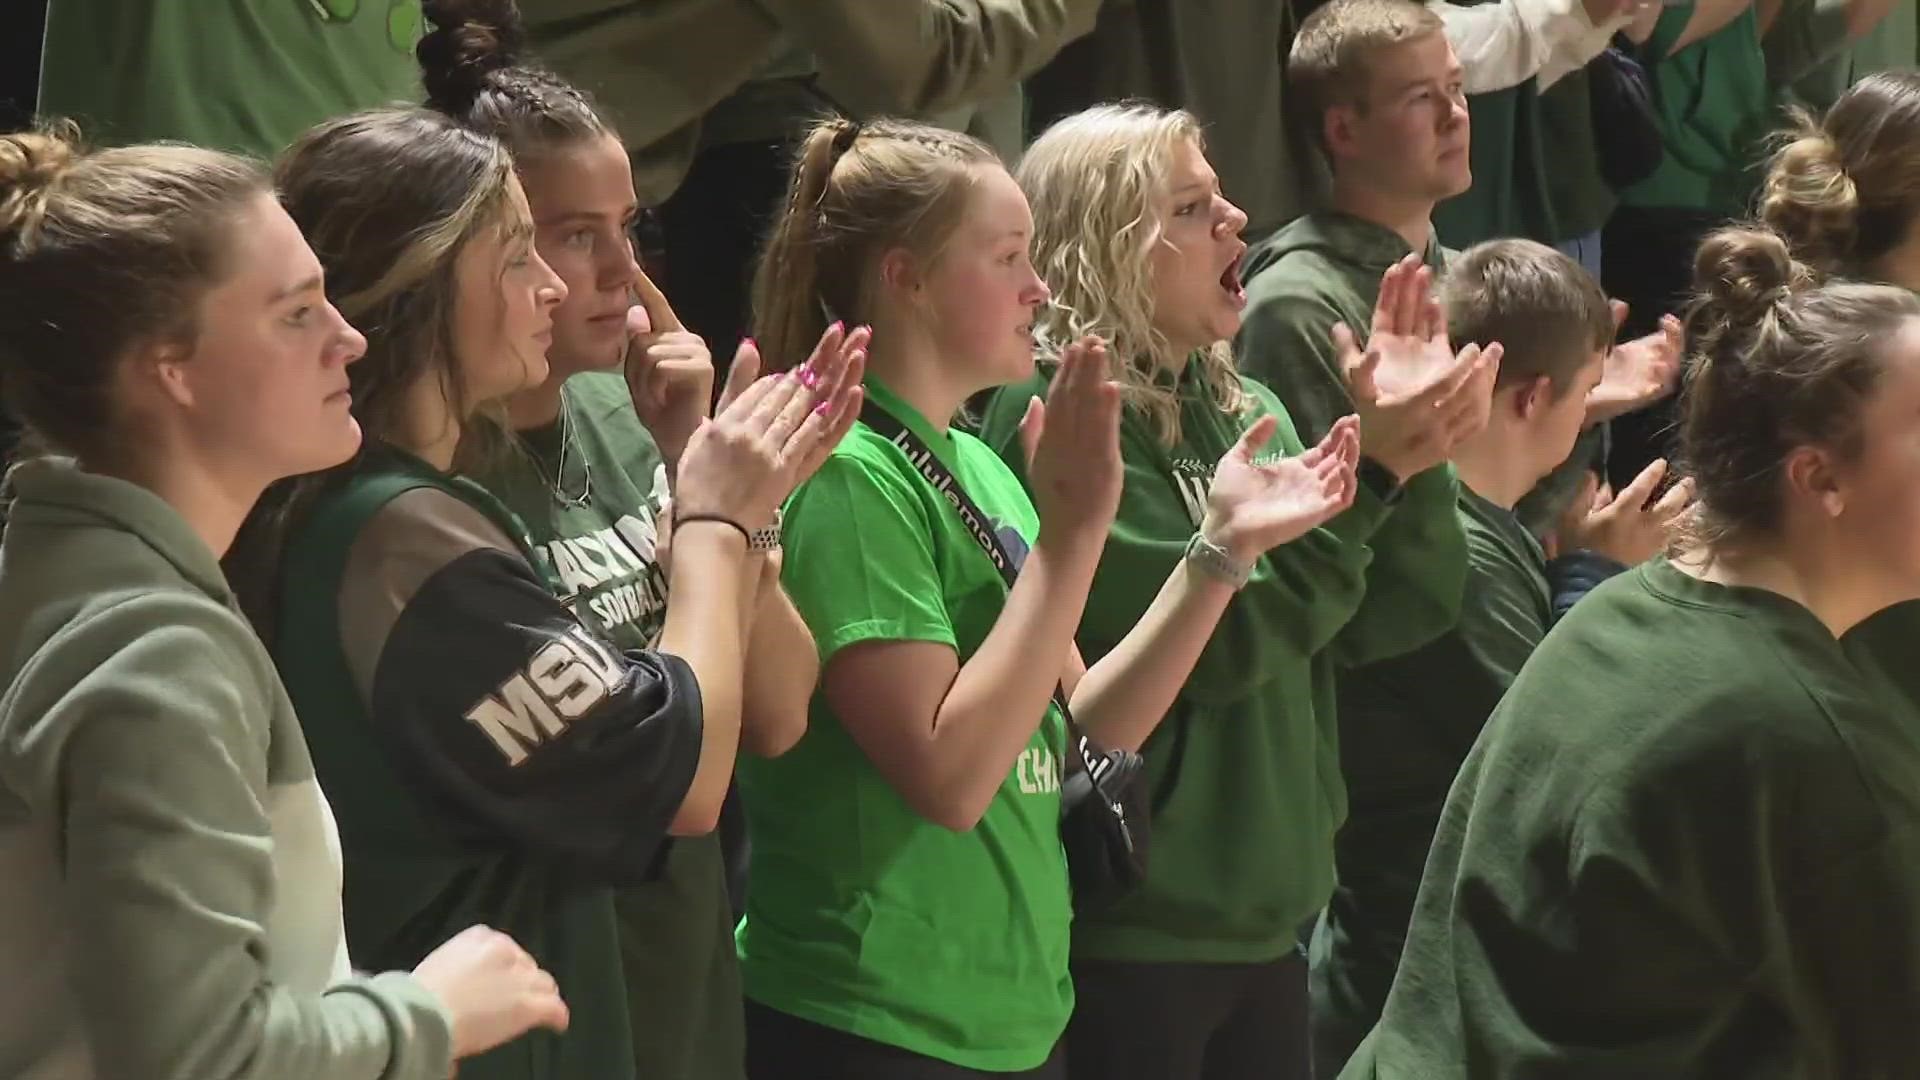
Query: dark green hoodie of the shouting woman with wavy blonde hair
(1249, 758)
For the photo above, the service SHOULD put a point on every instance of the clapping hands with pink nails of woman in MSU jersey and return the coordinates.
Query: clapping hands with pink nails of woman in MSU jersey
(748, 458)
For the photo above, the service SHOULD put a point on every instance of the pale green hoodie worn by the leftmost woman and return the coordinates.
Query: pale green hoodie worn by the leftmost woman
(172, 904)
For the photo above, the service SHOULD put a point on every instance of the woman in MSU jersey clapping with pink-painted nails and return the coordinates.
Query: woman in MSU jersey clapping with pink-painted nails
(492, 754)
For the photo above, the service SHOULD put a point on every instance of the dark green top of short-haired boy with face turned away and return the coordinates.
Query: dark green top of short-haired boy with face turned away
(1403, 747)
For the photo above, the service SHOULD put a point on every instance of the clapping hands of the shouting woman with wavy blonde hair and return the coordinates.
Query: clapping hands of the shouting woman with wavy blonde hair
(1416, 397)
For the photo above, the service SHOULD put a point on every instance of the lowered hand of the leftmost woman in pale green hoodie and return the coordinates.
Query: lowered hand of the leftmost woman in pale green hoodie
(492, 991)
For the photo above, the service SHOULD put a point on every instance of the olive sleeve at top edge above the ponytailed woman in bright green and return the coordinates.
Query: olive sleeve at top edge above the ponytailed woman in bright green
(921, 57)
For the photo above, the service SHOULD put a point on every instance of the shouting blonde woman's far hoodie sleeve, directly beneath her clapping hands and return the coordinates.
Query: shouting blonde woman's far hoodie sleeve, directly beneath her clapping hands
(1418, 574)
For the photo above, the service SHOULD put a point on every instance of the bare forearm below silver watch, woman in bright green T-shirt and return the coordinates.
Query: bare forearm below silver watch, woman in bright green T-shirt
(1126, 695)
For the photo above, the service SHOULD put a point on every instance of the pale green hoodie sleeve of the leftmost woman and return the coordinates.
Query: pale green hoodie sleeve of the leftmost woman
(160, 779)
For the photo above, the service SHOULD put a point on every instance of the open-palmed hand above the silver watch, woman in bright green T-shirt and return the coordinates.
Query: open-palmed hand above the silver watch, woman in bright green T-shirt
(1257, 506)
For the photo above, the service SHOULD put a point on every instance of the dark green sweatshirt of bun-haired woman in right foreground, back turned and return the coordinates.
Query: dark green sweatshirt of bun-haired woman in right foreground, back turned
(1687, 845)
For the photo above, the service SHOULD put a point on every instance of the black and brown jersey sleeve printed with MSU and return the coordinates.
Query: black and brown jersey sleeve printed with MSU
(521, 727)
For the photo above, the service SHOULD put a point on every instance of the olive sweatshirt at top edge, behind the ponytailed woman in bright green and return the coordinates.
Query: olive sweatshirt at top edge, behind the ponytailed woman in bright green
(660, 70)
